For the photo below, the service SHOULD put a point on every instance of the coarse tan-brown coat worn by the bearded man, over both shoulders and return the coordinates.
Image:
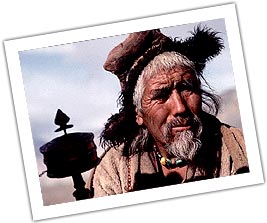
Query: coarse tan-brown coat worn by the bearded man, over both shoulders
(118, 174)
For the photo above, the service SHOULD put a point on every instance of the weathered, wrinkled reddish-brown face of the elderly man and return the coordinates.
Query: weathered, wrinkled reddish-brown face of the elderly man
(170, 102)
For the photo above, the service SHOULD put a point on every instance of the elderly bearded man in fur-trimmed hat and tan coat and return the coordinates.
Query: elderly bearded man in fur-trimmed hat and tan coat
(165, 132)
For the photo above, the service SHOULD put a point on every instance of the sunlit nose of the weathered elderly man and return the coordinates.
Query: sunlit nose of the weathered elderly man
(177, 104)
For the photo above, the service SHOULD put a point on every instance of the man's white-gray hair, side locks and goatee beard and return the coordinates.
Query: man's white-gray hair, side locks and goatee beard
(164, 62)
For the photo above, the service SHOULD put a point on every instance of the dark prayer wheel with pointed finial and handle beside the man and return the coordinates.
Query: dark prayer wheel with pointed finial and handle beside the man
(70, 155)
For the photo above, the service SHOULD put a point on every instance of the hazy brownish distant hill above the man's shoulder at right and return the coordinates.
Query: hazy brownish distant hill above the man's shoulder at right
(229, 112)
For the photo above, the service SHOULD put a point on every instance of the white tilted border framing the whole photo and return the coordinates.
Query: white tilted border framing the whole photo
(228, 13)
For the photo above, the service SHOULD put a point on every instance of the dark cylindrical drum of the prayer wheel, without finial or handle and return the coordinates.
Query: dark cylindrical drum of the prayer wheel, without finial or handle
(70, 154)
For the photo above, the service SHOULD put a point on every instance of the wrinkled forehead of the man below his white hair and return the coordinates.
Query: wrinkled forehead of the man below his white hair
(169, 77)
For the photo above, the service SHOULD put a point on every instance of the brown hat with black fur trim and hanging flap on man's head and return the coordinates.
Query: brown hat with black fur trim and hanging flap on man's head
(129, 58)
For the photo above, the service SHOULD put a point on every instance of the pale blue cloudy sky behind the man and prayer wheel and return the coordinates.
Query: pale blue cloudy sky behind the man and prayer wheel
(71, 77)
